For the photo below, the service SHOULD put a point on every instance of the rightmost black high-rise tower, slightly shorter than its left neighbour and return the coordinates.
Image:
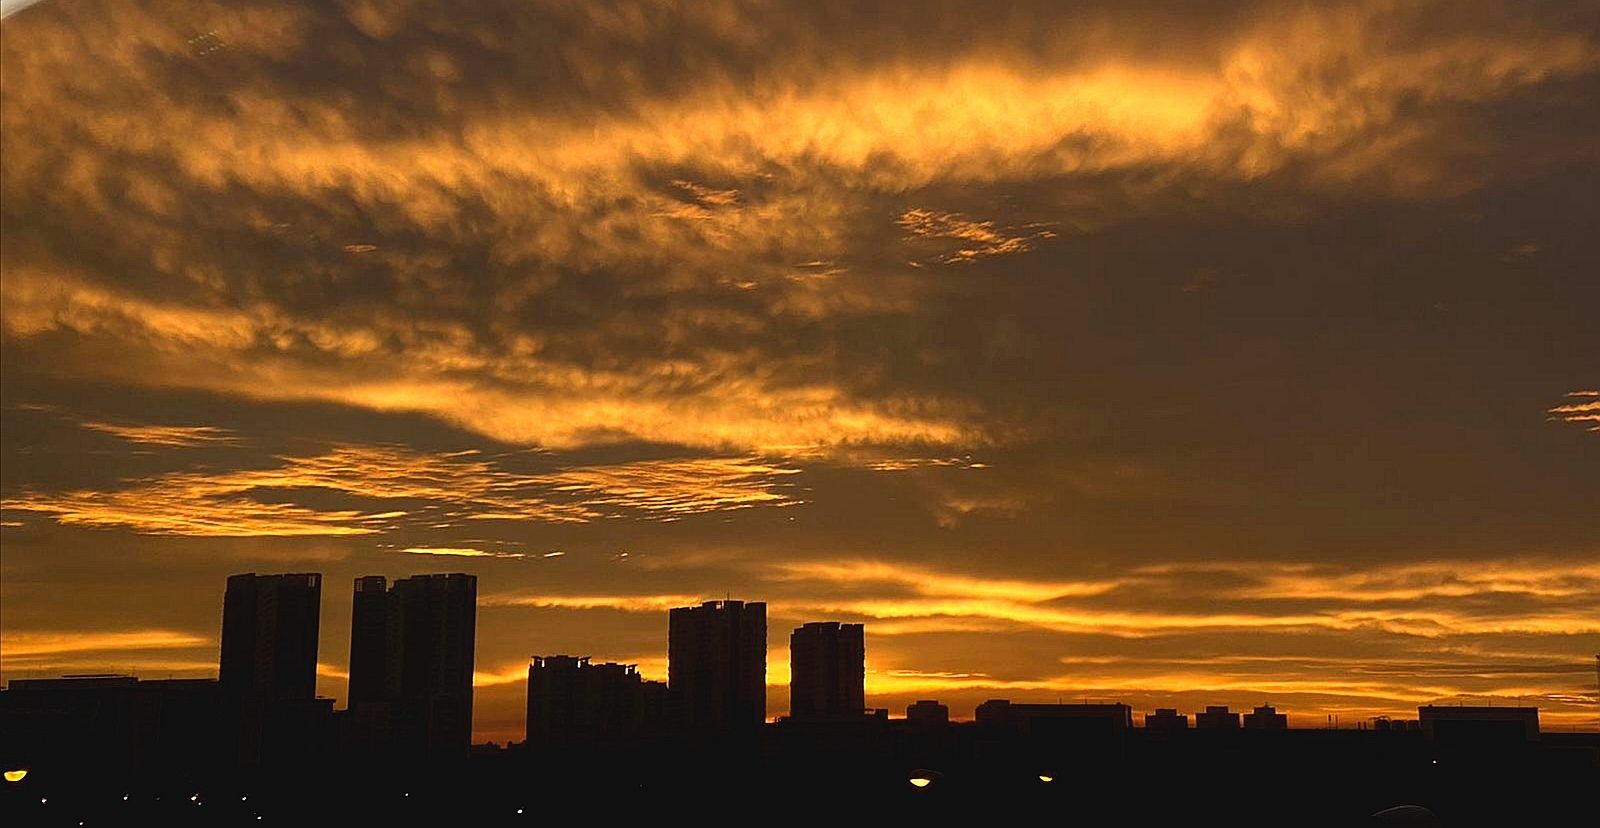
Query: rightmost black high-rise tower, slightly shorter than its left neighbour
(828, 671)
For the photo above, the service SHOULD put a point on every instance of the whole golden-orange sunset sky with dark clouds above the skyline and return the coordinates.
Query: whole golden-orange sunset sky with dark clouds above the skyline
(1159, 352)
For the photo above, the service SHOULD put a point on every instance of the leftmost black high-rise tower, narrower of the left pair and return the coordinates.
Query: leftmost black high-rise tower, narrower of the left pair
(270, 637)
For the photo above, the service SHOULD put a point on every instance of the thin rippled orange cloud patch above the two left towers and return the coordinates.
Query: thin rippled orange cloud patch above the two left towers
(462, 485)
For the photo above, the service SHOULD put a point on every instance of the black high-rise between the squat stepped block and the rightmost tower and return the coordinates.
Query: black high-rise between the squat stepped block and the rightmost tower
(718, 667)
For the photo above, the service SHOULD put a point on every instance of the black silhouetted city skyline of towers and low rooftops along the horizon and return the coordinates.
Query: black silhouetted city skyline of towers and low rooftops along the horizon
(406, 658)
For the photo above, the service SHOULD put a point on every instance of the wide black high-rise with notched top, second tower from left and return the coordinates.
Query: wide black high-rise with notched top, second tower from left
(412, 653)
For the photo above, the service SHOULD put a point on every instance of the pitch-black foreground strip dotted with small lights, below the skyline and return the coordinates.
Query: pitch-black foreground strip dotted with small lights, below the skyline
(809, 776)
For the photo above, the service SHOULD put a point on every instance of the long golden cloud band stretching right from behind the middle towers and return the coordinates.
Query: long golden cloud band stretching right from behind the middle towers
(962, 603)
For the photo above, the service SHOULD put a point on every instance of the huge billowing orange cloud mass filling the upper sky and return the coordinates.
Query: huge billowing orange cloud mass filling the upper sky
(794, 156)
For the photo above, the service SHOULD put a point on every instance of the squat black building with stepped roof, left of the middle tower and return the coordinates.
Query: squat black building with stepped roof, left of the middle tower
(572, 701)
